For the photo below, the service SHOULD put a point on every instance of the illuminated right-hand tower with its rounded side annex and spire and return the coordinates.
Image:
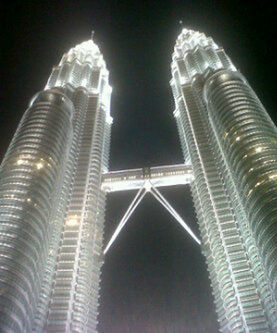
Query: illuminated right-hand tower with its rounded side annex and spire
(231, 143)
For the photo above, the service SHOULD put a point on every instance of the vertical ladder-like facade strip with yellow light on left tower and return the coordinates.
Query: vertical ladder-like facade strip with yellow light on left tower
(60, 307)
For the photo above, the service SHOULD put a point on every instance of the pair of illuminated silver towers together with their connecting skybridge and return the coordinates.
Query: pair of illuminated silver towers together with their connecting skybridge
(54, 179)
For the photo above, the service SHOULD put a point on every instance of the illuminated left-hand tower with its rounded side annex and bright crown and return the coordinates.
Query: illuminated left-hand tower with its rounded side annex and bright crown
(52, 207)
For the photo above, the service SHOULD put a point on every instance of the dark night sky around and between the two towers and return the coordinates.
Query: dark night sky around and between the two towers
(154, 278)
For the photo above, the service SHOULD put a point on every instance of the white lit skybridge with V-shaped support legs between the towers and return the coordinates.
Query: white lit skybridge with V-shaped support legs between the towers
(146, 180)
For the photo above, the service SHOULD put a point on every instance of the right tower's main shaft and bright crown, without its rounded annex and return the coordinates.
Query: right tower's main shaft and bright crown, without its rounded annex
(241, 291)
